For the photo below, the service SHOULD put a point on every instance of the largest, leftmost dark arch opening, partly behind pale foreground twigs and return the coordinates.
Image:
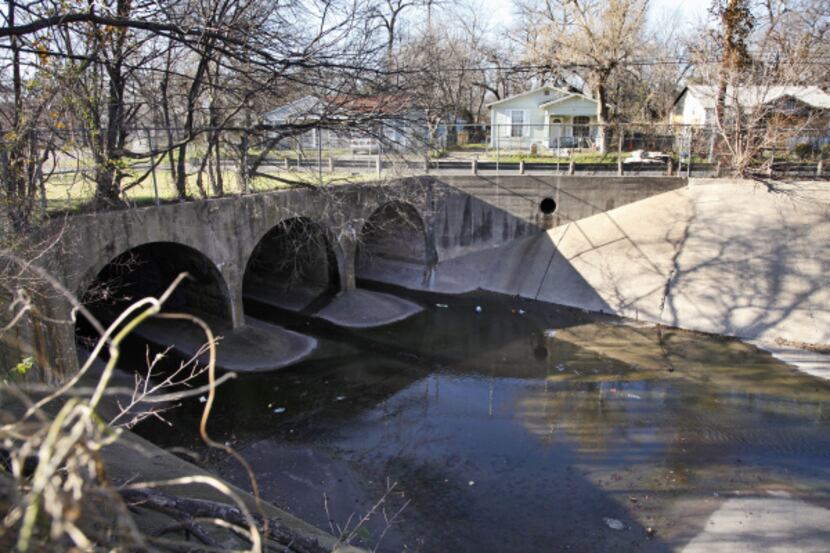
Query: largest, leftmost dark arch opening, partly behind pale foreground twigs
(148, 268)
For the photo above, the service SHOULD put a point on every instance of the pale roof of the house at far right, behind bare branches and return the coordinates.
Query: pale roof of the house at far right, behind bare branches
(753, 96)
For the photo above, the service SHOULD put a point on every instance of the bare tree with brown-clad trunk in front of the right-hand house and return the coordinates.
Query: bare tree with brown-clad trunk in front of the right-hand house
(760, 58)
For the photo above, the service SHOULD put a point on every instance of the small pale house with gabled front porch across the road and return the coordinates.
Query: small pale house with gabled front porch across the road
(547, 116)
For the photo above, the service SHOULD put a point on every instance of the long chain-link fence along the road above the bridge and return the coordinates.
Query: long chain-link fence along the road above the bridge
(244, 160)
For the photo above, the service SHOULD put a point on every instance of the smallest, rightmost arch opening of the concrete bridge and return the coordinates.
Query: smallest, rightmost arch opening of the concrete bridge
(394, 239)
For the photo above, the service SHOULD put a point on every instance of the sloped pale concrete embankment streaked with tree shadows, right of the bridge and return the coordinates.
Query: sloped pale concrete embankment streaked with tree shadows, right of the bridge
(735, 258)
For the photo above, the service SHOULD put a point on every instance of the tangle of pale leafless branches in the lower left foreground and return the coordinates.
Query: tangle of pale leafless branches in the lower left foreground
(56, 483)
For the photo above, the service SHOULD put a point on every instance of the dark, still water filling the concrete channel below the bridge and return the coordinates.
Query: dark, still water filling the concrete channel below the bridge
(518, 428)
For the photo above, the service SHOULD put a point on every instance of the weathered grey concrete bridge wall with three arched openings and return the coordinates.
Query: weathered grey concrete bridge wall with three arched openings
(291, 246)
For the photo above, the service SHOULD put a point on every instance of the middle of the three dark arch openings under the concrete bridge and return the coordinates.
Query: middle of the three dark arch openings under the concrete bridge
(292, 263)
